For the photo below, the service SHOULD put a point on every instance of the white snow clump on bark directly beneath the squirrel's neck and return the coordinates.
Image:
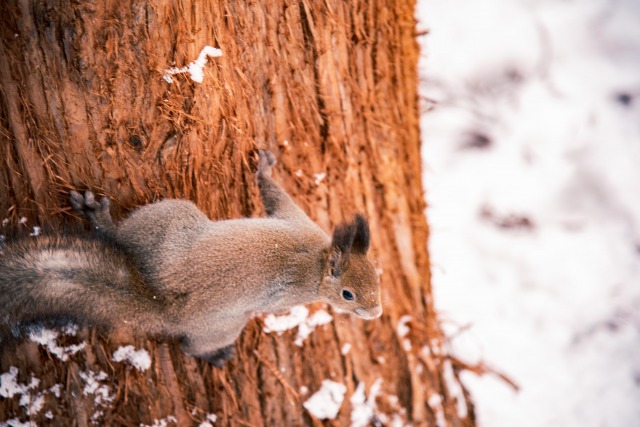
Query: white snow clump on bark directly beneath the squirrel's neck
(297, 317)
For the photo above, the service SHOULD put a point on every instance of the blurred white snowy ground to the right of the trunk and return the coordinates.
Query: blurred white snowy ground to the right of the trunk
(532, 170)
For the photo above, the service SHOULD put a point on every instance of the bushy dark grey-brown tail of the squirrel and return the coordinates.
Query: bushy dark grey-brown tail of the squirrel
(80, 279)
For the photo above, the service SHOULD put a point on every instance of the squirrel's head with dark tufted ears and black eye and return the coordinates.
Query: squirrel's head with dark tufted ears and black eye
(350, 282)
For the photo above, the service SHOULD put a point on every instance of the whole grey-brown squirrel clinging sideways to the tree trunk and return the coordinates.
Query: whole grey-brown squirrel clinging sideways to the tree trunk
(168, 270)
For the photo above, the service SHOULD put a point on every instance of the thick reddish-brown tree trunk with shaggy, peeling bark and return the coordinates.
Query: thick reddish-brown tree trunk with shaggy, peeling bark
(330, 87)
